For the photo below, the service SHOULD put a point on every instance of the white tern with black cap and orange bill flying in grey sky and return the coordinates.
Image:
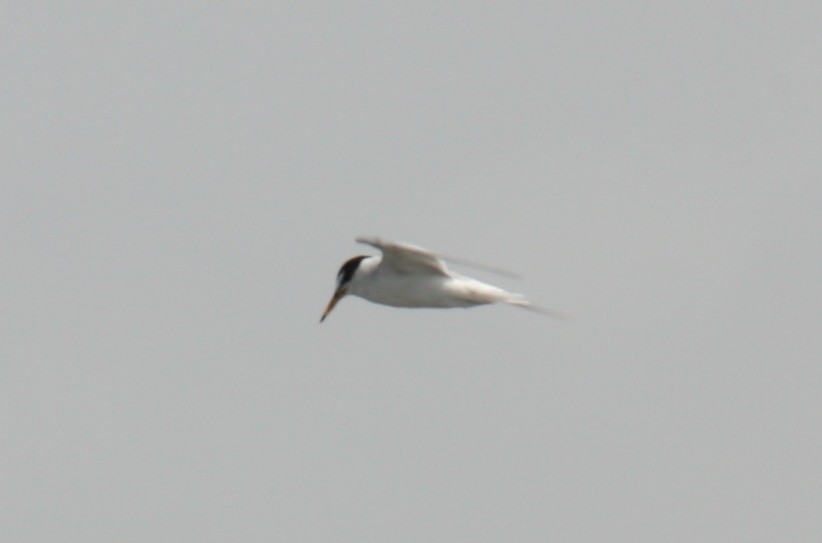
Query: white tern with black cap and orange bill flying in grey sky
(410, 276)
